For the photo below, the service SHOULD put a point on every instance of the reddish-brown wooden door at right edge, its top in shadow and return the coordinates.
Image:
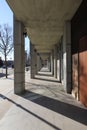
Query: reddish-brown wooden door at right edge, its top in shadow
(83, 70)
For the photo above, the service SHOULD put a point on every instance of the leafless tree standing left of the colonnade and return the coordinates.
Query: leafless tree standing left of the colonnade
(6, 42)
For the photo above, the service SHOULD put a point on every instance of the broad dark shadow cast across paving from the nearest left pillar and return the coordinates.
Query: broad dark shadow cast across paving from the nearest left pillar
(73, 112)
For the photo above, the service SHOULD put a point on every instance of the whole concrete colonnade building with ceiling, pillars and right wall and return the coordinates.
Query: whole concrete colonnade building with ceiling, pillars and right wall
(58, 35)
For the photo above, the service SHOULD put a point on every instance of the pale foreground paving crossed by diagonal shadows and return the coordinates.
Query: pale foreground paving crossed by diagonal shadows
(44, 106)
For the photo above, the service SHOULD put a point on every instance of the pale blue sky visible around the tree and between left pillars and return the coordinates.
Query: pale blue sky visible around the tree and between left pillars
(6, 17)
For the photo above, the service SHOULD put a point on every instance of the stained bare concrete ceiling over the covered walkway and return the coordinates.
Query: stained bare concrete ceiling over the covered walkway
(44, 19)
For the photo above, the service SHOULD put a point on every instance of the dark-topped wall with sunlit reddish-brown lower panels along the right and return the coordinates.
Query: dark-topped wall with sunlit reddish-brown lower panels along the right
(79, 53)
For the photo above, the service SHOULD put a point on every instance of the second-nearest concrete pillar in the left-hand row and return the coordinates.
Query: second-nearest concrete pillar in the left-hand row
(32, 52)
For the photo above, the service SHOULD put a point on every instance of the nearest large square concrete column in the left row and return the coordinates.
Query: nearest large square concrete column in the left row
(19, 57)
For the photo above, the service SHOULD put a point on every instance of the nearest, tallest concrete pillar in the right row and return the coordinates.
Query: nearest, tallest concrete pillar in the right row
(67, 56)
